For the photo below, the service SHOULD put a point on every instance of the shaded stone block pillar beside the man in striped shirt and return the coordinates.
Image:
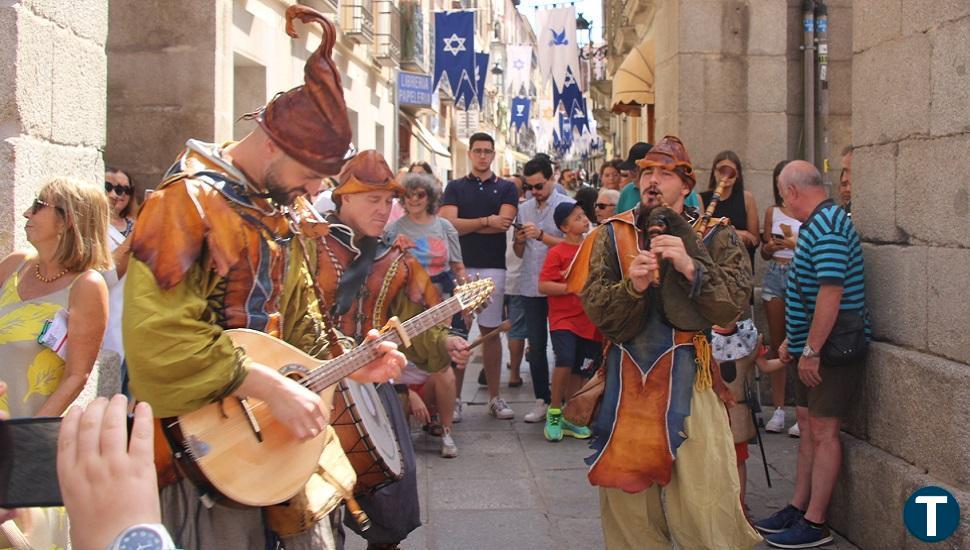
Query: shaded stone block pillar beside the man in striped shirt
(911, 201)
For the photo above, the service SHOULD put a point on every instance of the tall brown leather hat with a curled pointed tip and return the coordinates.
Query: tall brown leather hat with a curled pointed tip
(309, 122)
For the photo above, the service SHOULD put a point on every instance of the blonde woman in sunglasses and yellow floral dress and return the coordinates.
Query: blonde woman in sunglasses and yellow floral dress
(53, 293)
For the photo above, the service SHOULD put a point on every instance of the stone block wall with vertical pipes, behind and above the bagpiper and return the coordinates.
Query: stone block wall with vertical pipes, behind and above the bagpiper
(729, 76)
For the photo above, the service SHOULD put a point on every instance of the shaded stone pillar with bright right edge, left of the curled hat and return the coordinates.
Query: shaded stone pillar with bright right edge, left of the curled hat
(169, 79)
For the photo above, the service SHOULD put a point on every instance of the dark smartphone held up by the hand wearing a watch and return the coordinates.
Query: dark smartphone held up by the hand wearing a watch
(28, 462)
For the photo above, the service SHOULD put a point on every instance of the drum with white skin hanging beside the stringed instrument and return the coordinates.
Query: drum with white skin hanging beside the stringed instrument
(367, 436)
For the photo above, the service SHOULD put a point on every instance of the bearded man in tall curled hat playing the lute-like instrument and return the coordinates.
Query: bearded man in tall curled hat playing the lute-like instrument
(216, 247)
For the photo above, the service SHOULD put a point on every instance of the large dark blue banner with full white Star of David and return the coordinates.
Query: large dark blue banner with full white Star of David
(455, 49)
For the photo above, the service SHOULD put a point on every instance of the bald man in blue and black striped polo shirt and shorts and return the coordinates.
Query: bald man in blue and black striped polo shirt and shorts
(826, 277)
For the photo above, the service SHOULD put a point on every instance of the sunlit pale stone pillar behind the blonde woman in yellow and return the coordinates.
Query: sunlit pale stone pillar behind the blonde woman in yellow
(52, 106)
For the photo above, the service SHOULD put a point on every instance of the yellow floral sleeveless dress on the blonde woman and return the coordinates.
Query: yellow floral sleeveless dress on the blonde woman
(32, 373)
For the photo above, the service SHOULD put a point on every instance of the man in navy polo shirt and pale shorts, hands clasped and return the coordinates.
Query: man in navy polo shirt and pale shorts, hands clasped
(482, 206)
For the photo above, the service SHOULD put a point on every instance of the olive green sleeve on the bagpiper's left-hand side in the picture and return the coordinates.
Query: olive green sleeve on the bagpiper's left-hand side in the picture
(608, 298)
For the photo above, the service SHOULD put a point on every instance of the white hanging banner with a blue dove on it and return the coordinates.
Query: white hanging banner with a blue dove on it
(557, 43)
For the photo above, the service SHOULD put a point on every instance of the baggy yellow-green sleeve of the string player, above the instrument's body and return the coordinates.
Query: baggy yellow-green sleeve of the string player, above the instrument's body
(178, 357)
